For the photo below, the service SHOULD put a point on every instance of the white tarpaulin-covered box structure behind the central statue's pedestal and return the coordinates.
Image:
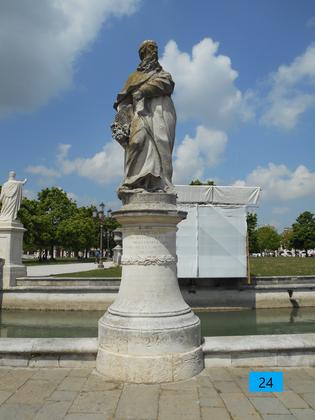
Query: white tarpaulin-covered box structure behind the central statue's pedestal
(211, 242)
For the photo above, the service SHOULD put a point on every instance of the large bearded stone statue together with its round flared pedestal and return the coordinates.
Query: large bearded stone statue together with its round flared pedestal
(149, 334)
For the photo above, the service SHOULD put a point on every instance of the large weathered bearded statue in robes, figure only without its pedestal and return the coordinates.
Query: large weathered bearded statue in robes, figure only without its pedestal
(145, 125)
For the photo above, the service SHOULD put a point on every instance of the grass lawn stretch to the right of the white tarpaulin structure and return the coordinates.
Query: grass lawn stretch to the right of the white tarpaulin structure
(282, 266)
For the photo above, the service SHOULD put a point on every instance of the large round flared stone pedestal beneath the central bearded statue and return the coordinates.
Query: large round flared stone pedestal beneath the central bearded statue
(149, 334)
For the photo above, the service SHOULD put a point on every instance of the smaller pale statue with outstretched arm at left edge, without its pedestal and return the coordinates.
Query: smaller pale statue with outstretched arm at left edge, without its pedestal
(11, 197)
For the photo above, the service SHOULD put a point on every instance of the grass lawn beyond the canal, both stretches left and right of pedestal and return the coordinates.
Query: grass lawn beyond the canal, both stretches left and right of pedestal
(261, 266)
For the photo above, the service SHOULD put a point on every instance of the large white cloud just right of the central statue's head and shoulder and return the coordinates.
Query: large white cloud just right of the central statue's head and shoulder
(204, 84)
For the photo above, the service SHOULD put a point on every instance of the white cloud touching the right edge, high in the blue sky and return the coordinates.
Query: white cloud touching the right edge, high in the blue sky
(292, 91)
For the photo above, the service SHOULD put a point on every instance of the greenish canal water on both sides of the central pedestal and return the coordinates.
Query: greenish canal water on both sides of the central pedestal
(219, 323)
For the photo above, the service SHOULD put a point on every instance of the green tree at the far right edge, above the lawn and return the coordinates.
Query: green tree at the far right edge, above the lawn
(303, 236)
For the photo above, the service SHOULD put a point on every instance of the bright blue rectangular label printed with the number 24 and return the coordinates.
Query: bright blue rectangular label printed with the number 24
(266, 381)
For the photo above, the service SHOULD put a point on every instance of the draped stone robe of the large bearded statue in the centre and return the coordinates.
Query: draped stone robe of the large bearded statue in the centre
(148, 153)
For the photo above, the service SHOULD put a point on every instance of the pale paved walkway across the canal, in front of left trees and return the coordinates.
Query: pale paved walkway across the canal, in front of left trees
(50, 269)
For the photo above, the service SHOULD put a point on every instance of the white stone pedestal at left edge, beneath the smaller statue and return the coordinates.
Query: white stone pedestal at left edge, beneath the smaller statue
(11, 249)
